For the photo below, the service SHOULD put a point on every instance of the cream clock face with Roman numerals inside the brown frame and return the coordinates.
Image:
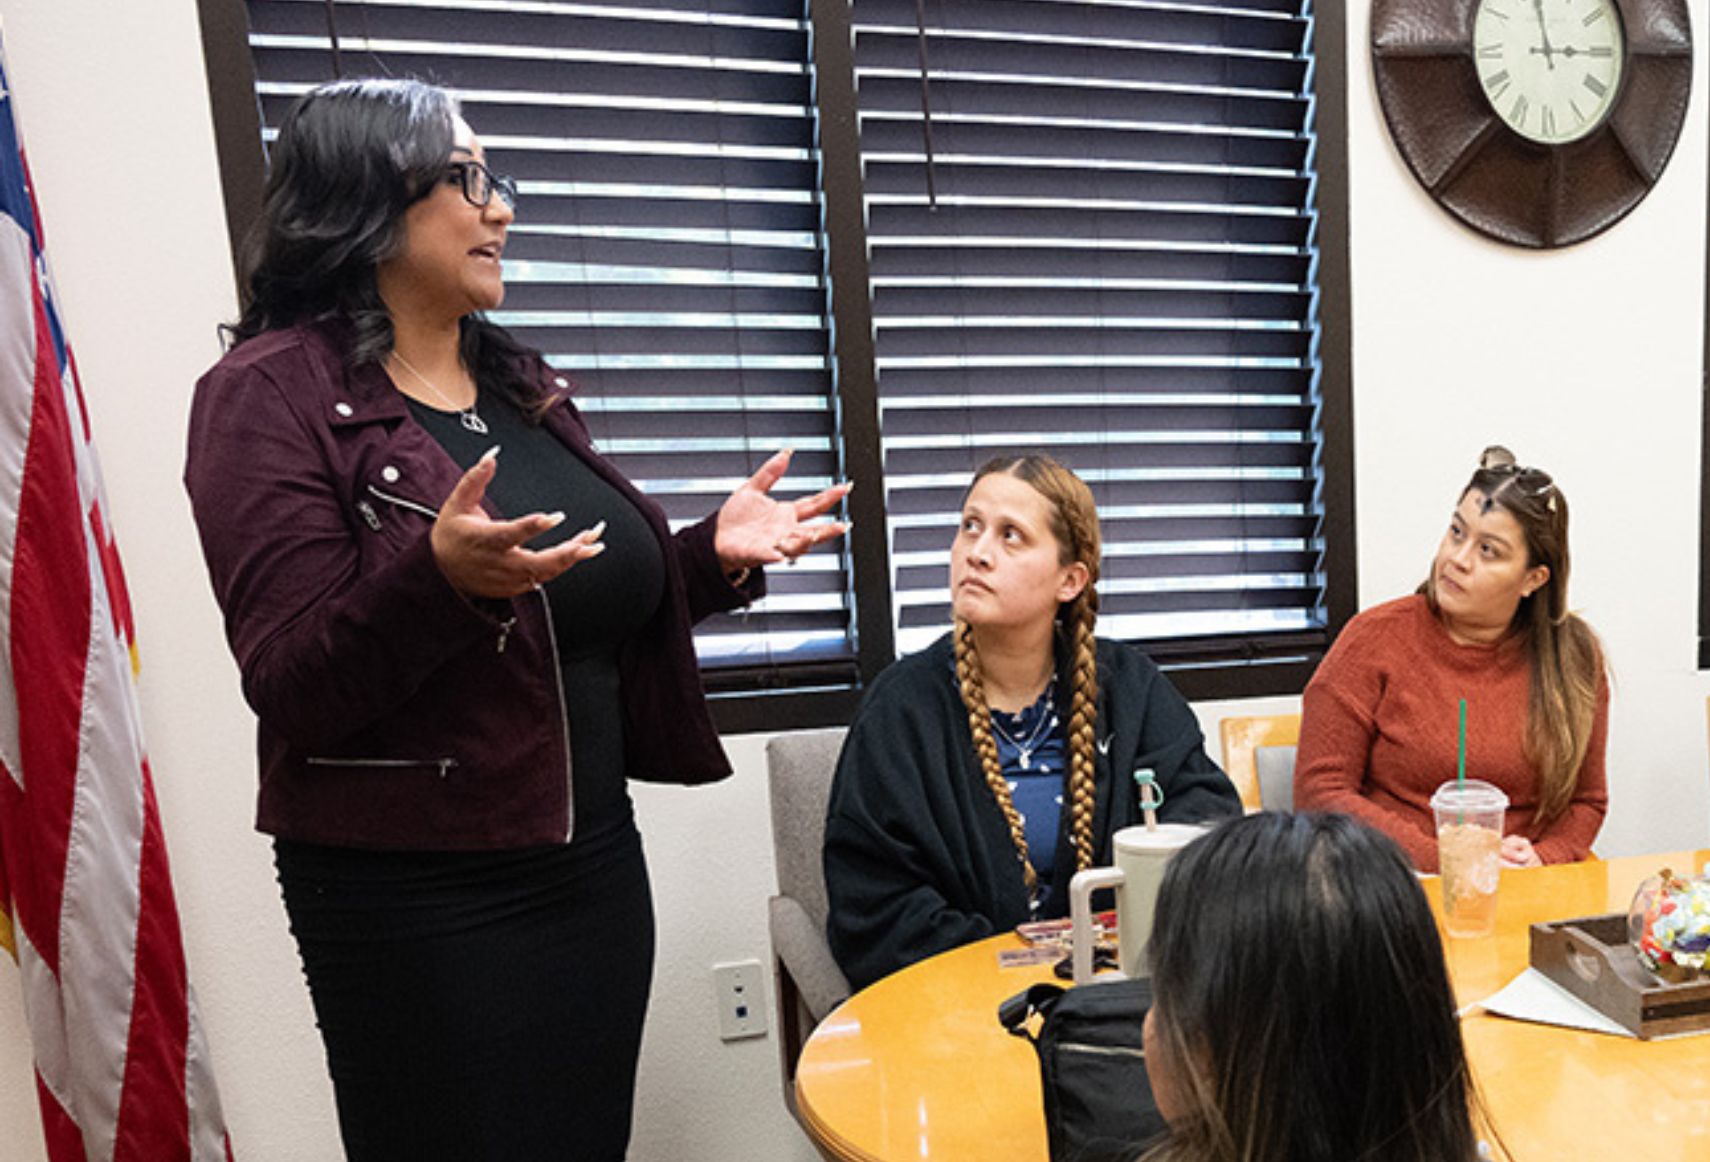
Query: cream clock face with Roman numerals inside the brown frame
(1552, 69)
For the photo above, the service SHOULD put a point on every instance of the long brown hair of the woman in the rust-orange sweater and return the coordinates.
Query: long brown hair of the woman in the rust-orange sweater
(1566, 654)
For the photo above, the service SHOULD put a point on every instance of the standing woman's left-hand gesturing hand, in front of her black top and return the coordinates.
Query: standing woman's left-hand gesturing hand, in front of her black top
(486, 558)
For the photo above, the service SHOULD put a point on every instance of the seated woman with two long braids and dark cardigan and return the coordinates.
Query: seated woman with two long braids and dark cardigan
(989, 768)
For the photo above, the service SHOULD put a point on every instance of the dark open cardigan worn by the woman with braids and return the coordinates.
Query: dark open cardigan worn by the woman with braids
(919, 857)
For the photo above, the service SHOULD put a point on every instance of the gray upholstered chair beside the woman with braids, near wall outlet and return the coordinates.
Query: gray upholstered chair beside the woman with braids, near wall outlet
(808, 982)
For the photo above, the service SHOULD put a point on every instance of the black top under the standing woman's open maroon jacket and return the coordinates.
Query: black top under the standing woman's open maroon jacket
(596, 604)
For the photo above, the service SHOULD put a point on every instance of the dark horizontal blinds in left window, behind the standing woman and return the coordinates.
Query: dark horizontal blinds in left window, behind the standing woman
(666, 252)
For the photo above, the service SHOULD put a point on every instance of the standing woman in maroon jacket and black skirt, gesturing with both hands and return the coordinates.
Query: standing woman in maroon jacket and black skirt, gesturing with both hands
(452, 688)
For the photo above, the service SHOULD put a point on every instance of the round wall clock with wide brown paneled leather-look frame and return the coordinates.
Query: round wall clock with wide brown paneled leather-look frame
(1536, 122)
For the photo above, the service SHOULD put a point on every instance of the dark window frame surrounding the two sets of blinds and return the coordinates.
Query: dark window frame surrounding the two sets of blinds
(1201, 669)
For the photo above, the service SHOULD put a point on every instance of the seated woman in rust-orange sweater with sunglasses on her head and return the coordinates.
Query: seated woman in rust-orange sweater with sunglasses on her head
(1492, 626)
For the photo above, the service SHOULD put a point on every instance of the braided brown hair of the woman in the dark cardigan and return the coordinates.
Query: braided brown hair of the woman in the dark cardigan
(1075, 527)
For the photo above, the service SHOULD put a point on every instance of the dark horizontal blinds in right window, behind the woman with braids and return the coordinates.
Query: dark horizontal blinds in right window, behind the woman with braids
(1107, 257)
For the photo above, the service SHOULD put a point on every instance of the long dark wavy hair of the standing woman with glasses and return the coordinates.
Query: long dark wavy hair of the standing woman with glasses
(350, 161)
